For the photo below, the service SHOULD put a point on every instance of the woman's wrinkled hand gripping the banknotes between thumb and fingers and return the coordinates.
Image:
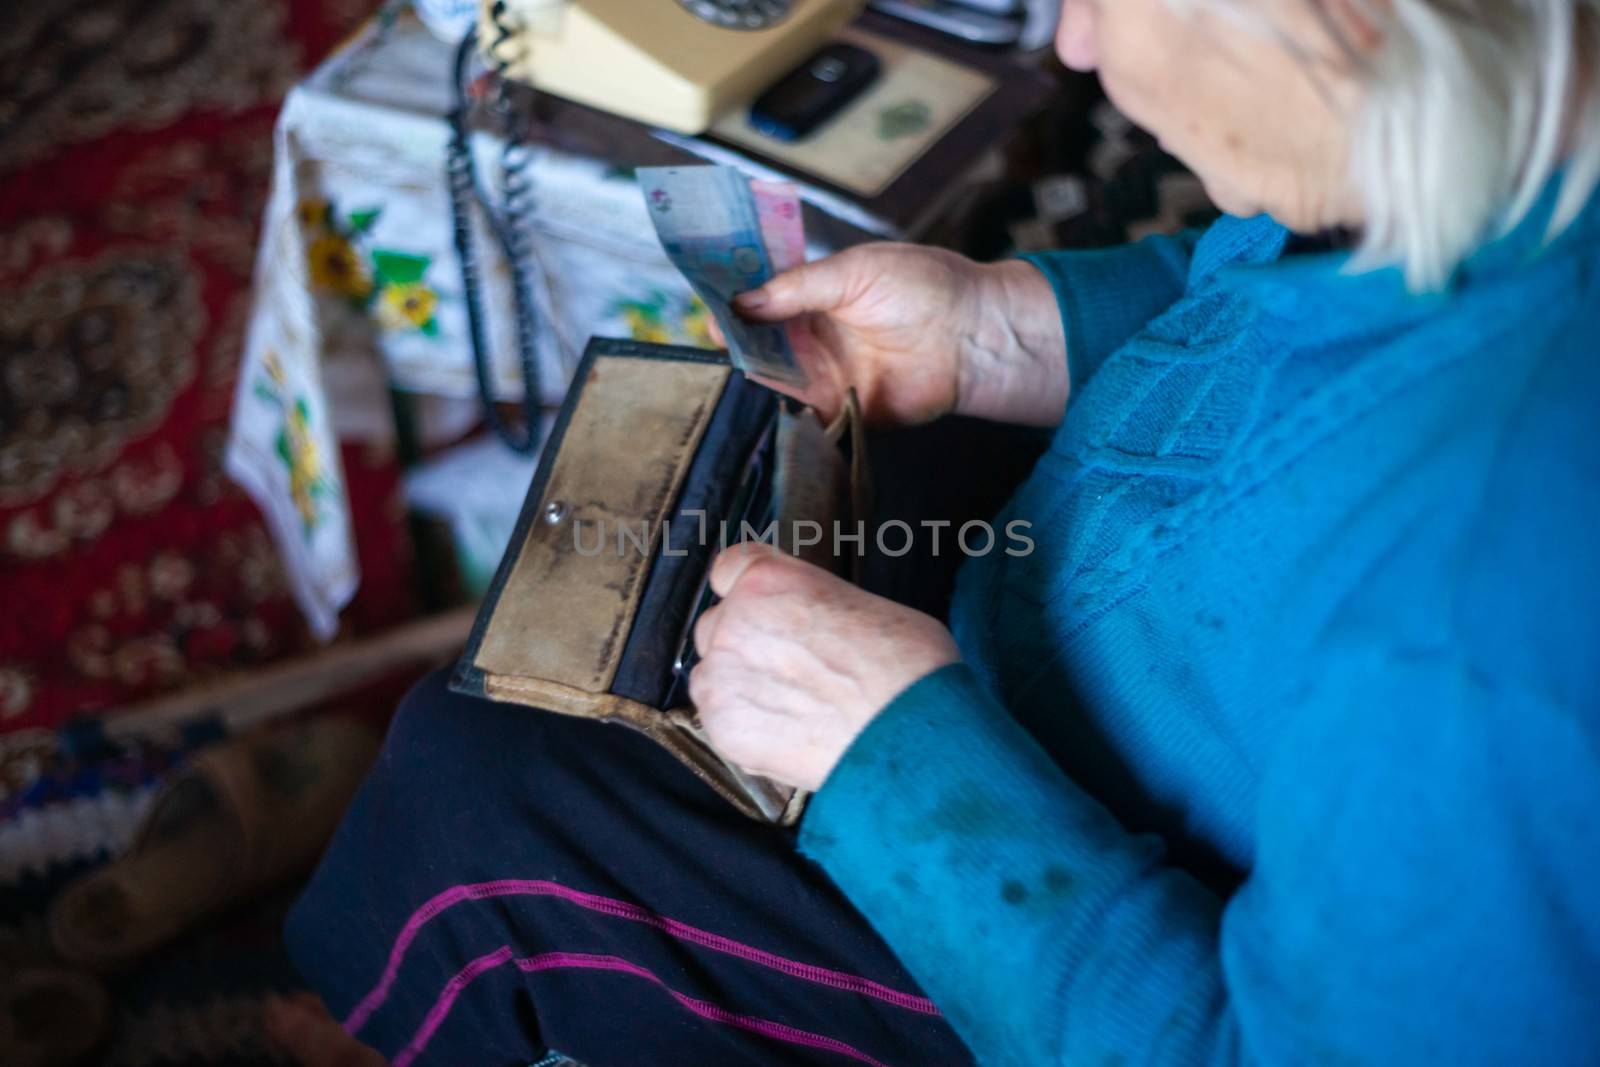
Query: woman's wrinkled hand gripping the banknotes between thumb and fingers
(922, 334)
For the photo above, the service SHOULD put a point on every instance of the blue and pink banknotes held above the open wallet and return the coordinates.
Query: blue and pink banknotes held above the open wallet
(729, 239)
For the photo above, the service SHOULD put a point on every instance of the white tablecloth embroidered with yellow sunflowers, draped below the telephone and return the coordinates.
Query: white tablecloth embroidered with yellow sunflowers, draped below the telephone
(359, 287)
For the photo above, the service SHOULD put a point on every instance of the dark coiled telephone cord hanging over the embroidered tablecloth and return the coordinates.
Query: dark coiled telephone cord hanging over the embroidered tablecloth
(511, 234)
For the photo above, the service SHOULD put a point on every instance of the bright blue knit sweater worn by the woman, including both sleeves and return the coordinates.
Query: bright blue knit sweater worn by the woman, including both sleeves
(1284, 745)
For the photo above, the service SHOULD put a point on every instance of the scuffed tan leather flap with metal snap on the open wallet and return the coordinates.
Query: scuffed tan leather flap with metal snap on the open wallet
(564, 617)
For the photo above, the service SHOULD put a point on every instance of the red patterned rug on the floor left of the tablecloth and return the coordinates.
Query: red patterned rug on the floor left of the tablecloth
(135, 154)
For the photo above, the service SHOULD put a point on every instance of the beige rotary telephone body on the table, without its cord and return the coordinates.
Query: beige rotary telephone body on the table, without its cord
(666, 63)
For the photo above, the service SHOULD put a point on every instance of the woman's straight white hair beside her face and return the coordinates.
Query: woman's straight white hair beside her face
(1471, 110)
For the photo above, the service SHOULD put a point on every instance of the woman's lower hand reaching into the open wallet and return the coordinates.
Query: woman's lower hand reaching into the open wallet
(796, 663)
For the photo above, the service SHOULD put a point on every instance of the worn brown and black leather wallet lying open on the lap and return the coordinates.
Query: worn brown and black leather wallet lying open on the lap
(658, 458)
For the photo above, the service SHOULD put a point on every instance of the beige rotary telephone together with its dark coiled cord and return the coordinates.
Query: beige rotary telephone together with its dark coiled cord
(666, 63)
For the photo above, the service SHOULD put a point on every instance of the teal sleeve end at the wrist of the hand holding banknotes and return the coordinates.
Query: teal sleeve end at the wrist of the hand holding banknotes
(1106, 295)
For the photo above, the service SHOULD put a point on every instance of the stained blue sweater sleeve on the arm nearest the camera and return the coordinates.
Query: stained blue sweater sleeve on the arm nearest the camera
(1417, 897)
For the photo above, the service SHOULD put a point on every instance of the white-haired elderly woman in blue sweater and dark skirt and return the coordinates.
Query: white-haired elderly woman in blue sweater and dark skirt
(1284, 743)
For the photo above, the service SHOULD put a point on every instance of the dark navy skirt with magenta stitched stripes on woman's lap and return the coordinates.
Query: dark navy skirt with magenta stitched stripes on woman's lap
(513, 882)
